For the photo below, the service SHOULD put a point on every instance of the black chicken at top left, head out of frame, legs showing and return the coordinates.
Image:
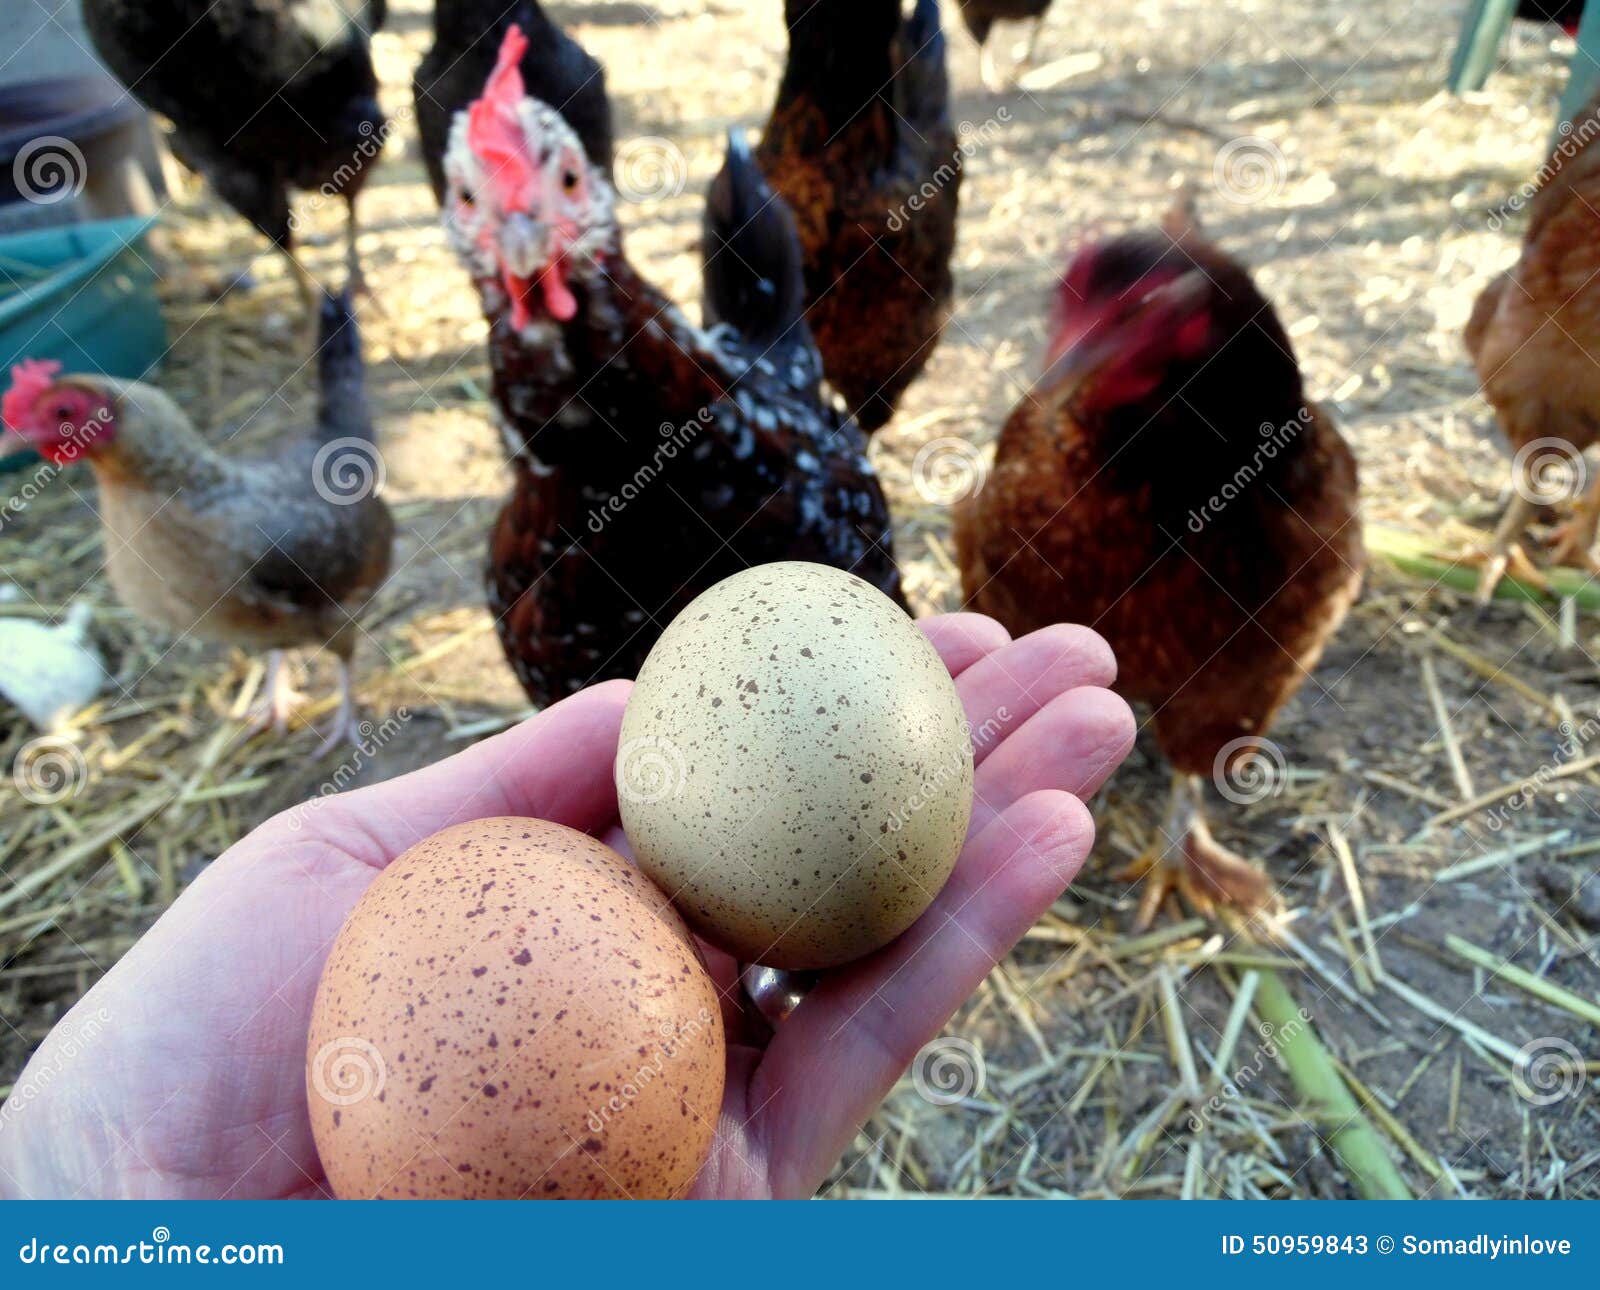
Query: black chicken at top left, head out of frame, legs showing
(265, 97)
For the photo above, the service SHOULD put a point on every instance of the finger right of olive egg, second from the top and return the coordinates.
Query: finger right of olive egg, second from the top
(1012, 684)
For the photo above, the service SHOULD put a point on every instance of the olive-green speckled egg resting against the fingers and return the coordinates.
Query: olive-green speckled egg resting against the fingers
(796, 771)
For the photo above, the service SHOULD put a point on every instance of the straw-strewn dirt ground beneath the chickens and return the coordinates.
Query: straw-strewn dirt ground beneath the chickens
(1366, 199)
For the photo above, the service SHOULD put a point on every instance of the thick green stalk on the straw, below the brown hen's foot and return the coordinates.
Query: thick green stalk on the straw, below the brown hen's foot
(1327, 1097)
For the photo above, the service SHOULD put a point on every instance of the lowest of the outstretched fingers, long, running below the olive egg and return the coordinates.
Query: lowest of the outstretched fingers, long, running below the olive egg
(836, 1059)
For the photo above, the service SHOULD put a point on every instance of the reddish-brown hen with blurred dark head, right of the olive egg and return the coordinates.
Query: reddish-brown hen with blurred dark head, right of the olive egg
(1169, 484)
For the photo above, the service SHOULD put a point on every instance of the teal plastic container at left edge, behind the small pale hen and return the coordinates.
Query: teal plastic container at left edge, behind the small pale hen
(82, 295)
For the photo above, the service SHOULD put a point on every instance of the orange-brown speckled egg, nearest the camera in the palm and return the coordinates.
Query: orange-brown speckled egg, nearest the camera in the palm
(513, 1011)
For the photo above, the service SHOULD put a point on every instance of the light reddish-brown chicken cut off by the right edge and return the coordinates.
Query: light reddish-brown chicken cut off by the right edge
(1534, 337)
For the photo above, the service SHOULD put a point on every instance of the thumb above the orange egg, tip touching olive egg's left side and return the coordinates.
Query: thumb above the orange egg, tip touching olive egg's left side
(556, 767)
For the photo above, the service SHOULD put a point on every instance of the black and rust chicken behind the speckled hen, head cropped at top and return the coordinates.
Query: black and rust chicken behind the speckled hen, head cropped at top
(862, 148)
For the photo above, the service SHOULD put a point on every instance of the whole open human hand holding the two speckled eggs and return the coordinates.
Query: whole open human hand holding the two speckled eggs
(183, 1072)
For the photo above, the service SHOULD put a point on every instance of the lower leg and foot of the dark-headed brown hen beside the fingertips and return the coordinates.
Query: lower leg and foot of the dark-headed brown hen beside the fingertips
(1188, 860)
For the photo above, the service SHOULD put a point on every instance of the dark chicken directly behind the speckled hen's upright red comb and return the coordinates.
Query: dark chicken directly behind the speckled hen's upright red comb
(556, 68)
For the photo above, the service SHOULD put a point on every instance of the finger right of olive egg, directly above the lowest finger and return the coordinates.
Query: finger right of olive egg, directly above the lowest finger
(1073, 745)
